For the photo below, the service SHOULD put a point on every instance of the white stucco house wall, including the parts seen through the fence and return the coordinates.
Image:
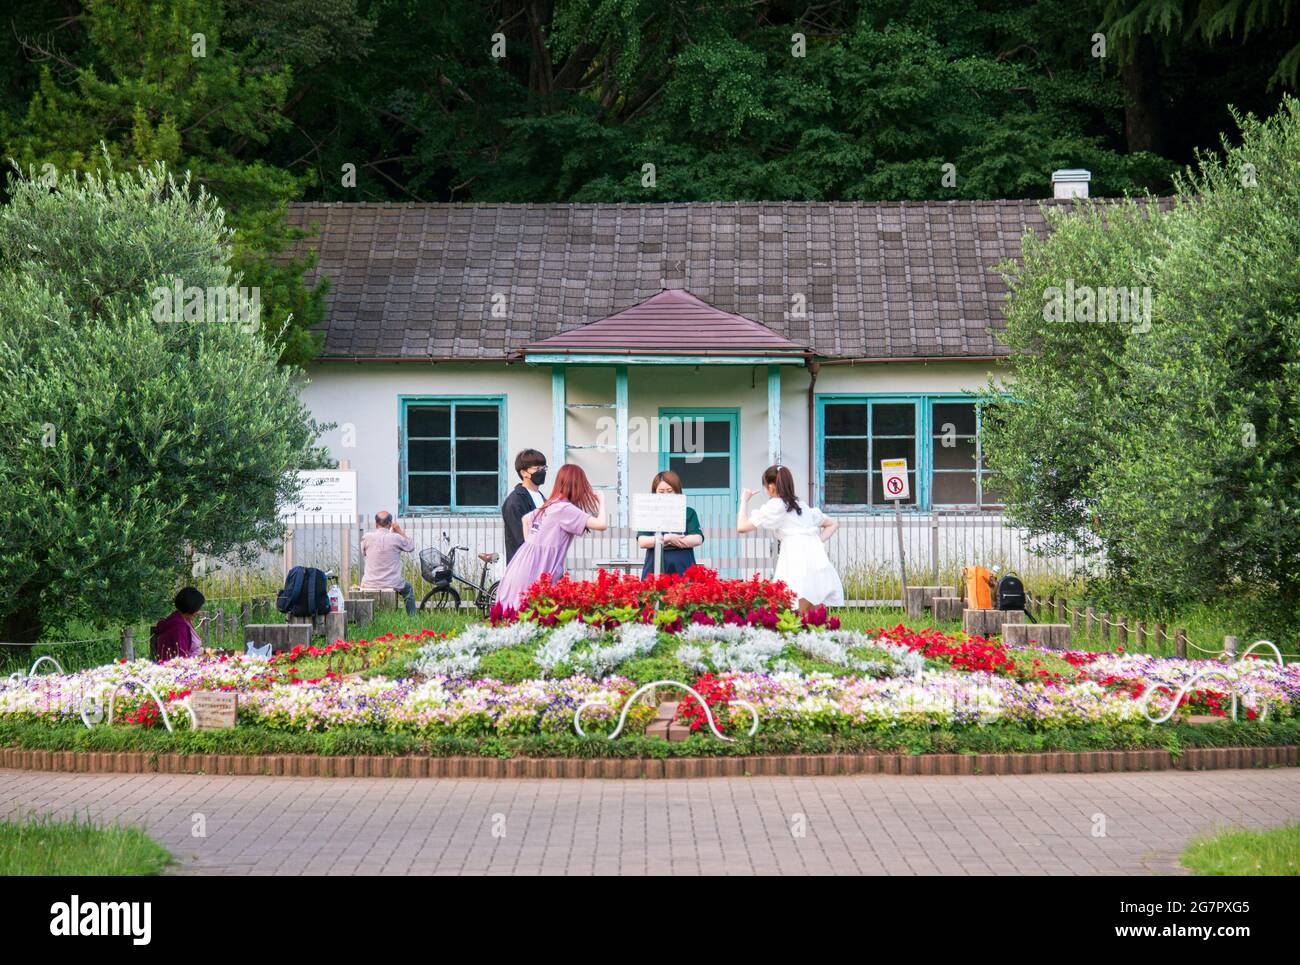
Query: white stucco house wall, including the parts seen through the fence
(363, 400)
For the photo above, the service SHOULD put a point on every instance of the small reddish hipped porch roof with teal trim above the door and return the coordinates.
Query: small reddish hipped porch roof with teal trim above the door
(673, 324)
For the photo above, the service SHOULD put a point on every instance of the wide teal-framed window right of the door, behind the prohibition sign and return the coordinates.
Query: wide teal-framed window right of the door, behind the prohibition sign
(925, 434)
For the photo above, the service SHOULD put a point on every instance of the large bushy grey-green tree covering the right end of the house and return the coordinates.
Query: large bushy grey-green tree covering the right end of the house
(1168, 438)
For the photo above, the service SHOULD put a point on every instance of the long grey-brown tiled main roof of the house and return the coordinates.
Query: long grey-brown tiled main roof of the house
(480, 282)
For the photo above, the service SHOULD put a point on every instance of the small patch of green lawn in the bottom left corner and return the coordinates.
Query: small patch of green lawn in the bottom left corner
(41, 846)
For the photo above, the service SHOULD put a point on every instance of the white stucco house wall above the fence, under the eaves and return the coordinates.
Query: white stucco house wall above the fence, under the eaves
(363, 401)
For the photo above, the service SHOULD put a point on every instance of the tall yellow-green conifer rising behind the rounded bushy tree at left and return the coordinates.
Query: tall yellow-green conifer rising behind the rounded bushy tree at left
(177, 81)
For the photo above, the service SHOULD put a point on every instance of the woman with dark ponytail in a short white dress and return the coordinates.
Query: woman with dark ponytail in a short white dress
(803, 530)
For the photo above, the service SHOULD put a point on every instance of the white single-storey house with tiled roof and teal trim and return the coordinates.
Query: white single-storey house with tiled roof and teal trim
(710, 339)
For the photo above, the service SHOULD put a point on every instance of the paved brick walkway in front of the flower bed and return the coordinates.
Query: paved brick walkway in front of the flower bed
(1060, 824)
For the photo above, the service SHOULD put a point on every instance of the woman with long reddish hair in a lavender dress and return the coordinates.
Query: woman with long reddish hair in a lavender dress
(549, 530)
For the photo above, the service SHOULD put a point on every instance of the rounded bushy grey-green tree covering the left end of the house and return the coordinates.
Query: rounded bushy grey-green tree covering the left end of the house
(135, 427)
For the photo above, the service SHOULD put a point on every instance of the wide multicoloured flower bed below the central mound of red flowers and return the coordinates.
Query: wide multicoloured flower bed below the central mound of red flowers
(886, 683)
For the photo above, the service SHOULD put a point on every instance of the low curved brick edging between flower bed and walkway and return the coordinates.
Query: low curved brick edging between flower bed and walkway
(785, 765)
